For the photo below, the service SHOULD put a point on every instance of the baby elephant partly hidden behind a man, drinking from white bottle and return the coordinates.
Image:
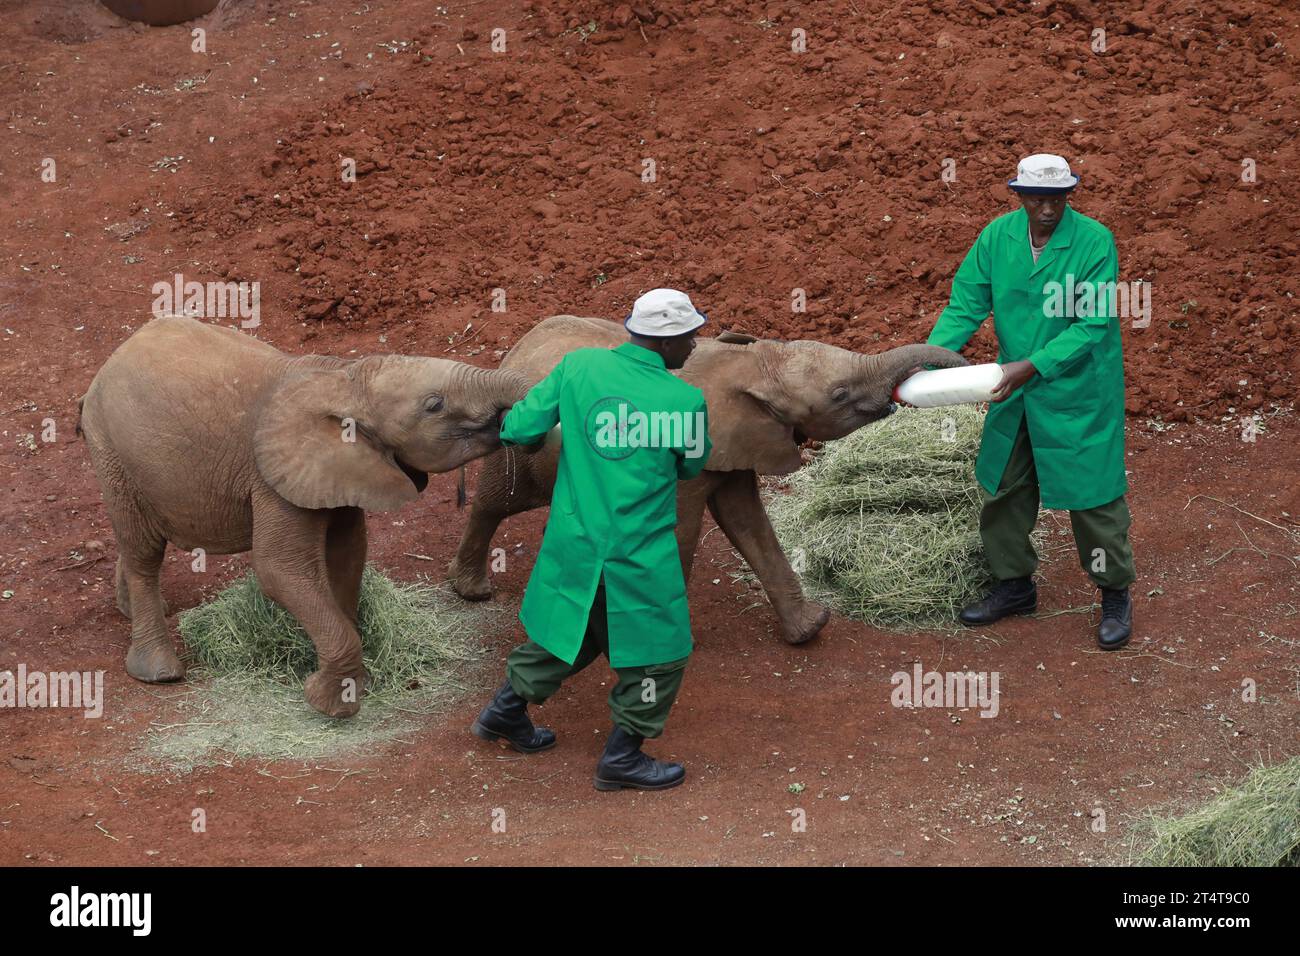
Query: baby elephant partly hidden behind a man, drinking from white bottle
(765, 400)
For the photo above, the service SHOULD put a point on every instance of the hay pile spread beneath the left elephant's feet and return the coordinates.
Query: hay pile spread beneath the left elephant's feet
(249, 660)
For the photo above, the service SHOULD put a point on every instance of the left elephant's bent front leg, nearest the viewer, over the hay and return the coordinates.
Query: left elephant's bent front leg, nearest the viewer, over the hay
(289, 556)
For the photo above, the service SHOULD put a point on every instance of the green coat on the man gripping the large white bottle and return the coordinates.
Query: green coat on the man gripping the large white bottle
(1076, 404)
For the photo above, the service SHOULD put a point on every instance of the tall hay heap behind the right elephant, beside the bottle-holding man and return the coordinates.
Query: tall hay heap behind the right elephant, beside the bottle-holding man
(883, 526)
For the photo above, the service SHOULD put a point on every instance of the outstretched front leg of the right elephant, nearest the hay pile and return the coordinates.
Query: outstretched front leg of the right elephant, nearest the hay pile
(739, 511)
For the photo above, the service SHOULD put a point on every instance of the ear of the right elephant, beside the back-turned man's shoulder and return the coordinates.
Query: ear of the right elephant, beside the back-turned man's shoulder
(747, 436)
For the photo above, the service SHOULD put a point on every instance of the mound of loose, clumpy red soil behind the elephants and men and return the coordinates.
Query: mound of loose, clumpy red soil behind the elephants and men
(531, 171)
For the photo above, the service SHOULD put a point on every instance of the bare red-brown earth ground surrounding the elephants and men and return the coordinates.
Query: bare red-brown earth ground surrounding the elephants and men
(523, 171)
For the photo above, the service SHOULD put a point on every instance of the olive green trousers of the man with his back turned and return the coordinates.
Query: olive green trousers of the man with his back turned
(642, 698)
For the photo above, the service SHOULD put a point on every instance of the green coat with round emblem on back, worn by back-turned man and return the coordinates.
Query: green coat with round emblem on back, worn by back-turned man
(614, 511)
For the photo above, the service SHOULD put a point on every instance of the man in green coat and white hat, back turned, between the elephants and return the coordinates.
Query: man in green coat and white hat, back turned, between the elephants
(609, 578)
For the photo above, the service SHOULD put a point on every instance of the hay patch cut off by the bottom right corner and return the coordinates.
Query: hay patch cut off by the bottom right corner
(1254, 824)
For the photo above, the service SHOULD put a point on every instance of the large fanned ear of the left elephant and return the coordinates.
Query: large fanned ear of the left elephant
(313, 447)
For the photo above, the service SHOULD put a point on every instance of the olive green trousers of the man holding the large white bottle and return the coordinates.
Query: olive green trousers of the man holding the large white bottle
(1100, 534)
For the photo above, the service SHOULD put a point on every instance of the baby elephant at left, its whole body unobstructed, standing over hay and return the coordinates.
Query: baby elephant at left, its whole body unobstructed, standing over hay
(210, 439)
